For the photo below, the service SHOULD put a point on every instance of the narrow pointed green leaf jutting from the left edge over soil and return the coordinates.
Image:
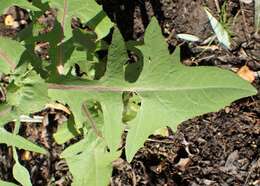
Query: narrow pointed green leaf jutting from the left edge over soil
(19, 142)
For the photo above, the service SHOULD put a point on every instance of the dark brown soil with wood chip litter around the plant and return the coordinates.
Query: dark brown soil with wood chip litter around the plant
(216, 149)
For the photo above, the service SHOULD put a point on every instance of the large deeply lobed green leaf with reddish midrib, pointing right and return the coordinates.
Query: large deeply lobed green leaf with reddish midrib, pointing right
(170, 92)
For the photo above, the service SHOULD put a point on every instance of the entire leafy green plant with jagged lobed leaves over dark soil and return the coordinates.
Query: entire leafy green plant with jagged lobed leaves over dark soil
(169, 92)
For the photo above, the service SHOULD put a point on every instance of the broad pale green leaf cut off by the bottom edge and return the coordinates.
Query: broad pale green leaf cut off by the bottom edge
(93, 167)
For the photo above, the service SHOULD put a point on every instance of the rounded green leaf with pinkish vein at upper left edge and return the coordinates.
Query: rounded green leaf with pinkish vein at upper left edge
(10, 54)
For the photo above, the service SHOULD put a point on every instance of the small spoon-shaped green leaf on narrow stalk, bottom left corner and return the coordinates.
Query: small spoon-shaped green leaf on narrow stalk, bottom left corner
(20, 173)
